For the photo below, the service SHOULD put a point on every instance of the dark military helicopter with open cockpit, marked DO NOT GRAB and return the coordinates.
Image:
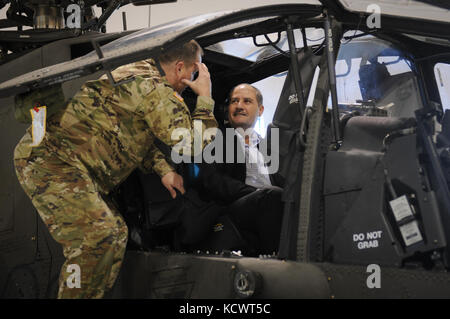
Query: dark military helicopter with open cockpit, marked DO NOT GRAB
(364, 153)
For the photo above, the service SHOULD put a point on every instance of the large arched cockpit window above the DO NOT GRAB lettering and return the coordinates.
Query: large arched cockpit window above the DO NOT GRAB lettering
(375, 78)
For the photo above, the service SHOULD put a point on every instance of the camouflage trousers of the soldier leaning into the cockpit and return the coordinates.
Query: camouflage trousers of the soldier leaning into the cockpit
(92, 233)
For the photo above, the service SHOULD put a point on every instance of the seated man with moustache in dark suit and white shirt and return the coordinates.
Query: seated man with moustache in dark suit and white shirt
(251, 194)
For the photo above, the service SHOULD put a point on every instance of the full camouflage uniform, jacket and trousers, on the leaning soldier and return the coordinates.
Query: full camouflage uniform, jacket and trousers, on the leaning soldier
(91, 146)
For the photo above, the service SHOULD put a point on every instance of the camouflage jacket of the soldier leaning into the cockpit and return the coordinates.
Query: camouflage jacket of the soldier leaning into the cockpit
(109, 131)
